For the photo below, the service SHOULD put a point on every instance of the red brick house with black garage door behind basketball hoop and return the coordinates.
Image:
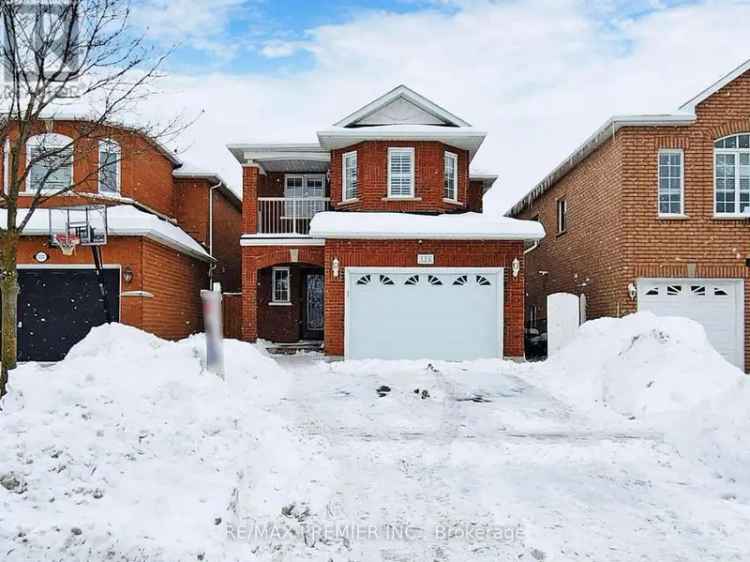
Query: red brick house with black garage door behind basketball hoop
(172, 230)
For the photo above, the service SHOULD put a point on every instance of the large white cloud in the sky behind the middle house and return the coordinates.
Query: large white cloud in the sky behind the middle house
(538, 75)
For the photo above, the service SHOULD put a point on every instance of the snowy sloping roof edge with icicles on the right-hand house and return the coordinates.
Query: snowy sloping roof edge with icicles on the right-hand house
(683, 117)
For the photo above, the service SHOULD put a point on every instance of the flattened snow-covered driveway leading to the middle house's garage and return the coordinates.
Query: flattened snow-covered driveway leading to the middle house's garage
(491, 467)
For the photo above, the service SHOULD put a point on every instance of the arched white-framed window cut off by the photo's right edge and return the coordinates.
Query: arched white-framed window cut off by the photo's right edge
(732, 175)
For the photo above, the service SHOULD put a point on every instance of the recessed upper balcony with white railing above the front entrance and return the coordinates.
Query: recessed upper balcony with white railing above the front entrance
(289, 215)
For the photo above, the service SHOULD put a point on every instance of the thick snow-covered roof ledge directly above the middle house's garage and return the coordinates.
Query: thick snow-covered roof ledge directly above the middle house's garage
(403, 226)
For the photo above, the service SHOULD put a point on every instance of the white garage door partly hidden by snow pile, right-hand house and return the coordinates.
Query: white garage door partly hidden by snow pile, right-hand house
(718, 304)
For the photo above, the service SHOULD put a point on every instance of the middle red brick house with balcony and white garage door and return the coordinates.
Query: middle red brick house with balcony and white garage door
(372, 239)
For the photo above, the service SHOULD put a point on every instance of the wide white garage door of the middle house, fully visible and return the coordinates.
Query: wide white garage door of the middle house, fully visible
(424, 313)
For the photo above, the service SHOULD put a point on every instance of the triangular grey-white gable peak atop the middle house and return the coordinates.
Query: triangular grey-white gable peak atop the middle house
(400, 106)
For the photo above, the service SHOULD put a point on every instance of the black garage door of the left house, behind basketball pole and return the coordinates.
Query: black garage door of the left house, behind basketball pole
(58, 307)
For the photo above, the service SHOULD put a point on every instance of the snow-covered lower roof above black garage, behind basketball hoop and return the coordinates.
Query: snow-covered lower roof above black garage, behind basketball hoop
(124, 220)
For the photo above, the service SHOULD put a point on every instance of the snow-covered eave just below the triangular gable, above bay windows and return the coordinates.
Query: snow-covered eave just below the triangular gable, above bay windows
(466, 138)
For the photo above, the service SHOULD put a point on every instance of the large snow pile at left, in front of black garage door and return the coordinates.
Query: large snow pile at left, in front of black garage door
(129, 450)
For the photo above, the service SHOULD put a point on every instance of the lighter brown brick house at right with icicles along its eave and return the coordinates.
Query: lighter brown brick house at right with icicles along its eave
(651, 213)
